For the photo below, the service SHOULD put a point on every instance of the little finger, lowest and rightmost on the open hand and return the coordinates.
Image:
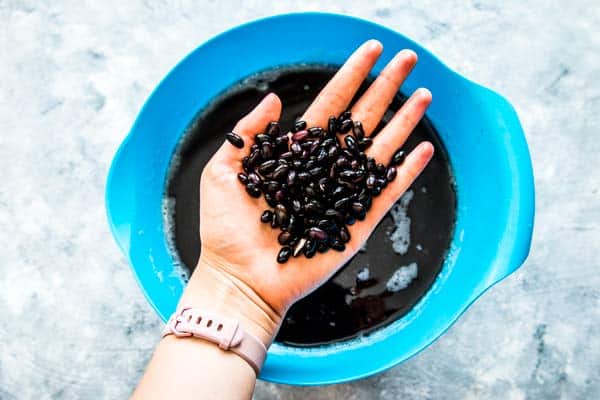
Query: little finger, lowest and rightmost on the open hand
(413, 165)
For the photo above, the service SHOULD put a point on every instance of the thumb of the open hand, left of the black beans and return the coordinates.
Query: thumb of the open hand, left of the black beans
(269, 109)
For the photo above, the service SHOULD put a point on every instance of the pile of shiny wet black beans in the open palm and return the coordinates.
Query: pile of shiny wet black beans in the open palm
(316, 187)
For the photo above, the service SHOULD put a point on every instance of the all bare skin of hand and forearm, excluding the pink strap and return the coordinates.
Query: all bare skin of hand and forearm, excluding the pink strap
(237, 275)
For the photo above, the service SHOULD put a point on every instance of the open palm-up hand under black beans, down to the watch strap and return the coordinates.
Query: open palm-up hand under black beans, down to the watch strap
(237, 272)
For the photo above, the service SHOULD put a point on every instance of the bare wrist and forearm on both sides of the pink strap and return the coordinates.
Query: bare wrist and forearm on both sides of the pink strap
(194, 368)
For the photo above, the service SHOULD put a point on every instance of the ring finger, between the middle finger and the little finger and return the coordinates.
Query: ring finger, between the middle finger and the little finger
(395, 133)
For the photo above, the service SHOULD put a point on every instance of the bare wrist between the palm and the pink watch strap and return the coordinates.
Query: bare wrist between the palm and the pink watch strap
(214, 289)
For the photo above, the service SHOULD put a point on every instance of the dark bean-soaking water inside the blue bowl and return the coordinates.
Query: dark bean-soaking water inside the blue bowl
(344, 306)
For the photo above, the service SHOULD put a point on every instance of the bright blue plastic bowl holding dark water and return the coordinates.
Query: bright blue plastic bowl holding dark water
(479, 128)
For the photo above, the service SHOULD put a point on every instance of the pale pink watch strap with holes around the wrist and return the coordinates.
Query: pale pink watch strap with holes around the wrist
(227, 333)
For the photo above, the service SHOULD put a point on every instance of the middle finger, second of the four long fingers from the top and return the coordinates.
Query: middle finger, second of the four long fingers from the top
(369, 109)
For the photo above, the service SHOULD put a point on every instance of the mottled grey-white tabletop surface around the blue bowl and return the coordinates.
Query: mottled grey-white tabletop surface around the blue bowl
(73, 75)
